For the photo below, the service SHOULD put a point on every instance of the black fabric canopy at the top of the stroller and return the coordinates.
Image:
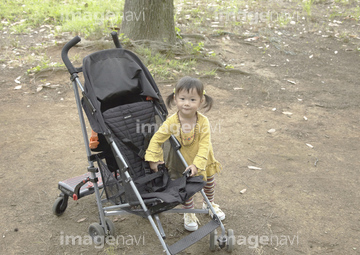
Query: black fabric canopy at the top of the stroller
(112, 76)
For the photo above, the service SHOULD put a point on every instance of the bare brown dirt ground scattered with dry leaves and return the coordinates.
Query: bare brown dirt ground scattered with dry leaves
(295, 116)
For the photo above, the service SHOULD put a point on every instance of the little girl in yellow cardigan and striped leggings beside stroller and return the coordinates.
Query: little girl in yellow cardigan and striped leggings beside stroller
(192, 130)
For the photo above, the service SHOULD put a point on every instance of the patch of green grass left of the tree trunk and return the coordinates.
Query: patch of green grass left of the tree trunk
(89, 18)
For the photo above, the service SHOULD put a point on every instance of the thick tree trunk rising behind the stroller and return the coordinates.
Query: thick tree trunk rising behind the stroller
(149, 20)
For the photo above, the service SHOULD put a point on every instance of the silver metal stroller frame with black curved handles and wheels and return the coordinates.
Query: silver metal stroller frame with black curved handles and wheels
(106, 227)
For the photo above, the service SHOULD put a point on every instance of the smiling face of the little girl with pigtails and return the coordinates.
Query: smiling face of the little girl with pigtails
(188, 102)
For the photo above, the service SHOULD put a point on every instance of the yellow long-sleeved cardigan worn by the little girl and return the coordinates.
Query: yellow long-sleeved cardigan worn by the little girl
(196, 145)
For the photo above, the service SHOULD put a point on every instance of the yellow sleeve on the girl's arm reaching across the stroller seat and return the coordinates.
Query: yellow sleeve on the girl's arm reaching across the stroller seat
(154, 152)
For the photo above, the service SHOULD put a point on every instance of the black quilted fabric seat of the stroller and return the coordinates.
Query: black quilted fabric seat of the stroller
(132, 126)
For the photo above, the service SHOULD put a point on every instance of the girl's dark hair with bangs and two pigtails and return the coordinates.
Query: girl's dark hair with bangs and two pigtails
(188, 83)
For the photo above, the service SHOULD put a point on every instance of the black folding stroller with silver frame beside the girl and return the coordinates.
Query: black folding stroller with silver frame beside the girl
(123, 106)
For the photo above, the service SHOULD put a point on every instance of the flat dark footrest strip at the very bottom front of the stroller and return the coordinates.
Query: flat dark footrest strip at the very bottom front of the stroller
(194, 237)
